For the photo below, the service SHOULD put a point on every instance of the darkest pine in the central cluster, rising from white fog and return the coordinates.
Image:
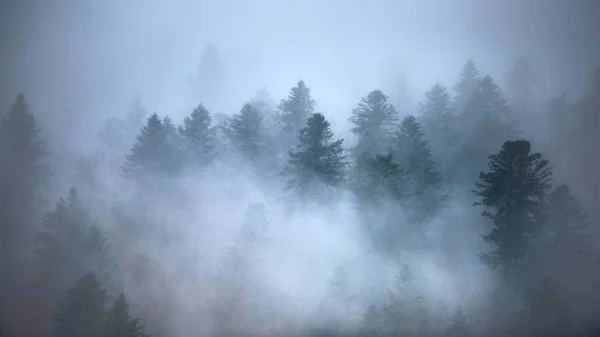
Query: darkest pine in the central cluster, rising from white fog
(317, 166)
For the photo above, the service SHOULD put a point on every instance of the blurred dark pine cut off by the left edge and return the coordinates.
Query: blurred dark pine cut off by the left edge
(23, 173)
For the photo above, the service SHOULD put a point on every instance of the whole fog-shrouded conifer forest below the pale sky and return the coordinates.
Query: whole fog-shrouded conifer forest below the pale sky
(473, 214)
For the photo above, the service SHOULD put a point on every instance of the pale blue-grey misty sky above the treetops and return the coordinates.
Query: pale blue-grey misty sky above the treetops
(81, 61)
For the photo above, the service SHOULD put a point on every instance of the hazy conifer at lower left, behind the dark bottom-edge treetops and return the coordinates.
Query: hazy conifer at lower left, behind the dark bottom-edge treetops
(69, 245)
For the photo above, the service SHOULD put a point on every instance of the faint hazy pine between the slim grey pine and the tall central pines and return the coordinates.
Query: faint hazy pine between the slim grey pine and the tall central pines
(247, 134)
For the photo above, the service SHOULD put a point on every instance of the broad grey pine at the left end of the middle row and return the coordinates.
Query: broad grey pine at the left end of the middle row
(152, 153)
